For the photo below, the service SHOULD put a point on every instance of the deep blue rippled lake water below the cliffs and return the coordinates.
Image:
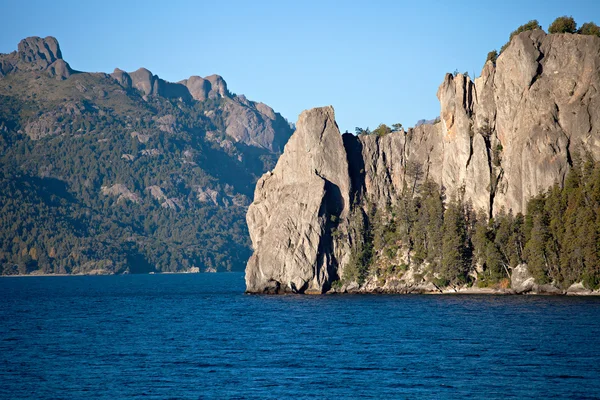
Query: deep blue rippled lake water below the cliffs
(198, 336)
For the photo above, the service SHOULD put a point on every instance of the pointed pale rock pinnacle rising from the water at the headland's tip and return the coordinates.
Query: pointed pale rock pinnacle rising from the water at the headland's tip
(295, 209)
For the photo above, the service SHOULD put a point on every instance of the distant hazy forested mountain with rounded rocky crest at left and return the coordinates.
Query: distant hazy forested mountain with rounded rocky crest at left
(125, 172)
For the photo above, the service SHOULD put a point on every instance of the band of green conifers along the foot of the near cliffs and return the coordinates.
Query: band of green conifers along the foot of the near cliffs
(453, 244)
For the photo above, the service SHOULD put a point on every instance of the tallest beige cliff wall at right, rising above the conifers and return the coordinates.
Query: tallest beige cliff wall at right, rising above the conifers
(513, 132)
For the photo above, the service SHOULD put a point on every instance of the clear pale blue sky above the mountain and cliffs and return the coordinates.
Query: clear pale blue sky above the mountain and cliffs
(374, 61)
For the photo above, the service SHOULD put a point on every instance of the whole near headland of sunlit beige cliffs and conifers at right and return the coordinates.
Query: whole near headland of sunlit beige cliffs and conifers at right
(460, 202)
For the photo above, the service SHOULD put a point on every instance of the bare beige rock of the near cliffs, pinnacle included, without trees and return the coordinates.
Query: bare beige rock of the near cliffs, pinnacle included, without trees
(501, 139)
